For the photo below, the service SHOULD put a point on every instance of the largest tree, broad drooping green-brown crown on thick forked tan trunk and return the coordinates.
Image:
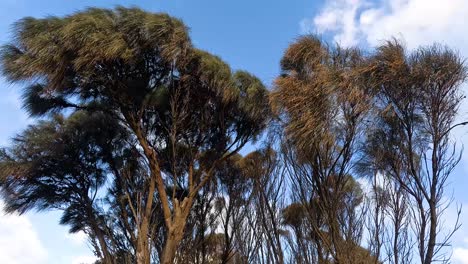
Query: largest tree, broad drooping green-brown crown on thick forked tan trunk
(185, 108)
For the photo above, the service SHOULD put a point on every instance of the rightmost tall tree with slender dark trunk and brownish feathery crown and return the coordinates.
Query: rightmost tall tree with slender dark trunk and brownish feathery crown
(418, 97)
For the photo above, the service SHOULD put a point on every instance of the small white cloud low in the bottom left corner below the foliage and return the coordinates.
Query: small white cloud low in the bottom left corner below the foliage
(19, 242)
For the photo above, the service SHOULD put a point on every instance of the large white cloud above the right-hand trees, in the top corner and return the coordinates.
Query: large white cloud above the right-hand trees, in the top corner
(418, 21)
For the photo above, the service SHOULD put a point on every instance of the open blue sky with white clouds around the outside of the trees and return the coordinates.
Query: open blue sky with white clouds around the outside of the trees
(249, 35)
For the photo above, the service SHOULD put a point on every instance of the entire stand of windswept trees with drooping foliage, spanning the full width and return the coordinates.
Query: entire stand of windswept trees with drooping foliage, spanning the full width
(138, 140)
